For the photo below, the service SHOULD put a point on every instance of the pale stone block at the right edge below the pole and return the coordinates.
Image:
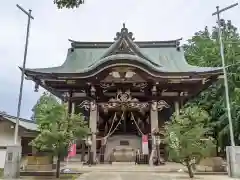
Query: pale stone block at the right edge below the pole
(233, 161)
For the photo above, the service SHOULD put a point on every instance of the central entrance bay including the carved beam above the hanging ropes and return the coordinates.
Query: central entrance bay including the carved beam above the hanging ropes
(128, 121)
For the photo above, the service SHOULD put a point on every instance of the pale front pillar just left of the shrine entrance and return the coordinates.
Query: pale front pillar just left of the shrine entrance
(93, 126)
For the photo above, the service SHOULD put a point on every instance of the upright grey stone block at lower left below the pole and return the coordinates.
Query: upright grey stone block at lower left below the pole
(12, 162)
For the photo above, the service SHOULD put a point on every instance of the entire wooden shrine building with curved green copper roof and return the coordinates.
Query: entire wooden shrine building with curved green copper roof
(125, 89)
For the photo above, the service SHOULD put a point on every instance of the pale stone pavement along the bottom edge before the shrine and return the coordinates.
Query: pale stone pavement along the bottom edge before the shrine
(145, 176)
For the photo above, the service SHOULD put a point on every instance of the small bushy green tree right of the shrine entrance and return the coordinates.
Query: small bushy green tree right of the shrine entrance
(186, 137)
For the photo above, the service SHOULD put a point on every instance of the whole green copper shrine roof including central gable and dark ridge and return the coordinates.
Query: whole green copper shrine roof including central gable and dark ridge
(163, 56)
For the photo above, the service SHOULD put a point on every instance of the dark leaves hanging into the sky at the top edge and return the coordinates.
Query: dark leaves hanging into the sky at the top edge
(68, 3)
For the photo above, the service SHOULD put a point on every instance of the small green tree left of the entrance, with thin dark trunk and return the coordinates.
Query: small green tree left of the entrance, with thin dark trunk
(57, 128)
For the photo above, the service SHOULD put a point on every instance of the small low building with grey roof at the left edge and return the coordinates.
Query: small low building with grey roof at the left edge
(27, 132)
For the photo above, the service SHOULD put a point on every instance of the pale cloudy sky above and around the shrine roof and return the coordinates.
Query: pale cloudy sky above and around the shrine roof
(96, 20)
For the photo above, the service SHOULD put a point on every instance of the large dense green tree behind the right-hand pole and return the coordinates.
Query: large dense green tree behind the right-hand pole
(203, 50)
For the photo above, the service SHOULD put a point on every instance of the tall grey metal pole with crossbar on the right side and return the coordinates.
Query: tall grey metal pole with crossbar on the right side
(218, 12)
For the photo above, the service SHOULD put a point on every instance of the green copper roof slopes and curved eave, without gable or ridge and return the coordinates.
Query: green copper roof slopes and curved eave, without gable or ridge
(83, 60)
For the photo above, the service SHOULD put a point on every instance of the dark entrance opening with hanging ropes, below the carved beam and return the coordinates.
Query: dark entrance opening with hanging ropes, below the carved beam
(124, 137)
